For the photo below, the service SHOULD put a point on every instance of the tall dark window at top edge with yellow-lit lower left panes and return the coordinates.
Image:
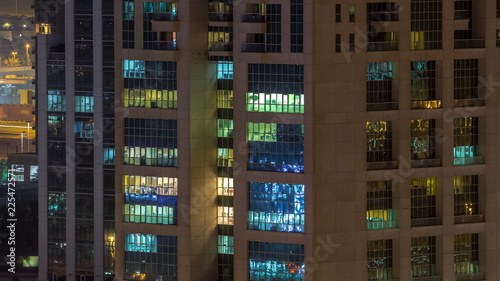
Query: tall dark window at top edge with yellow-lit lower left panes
(426, 24)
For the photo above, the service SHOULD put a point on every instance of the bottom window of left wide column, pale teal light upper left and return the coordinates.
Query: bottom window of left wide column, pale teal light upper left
(150, 257)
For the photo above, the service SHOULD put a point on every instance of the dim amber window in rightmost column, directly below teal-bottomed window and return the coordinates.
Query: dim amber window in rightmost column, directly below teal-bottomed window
(466, 195)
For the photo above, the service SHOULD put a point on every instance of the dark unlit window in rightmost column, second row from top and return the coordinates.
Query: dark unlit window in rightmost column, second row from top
(466, 82)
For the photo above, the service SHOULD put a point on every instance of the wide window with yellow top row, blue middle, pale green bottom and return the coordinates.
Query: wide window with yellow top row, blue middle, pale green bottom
(150, 199)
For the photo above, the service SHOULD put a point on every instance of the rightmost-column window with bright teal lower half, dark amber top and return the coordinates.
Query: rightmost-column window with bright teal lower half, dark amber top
(466, 141)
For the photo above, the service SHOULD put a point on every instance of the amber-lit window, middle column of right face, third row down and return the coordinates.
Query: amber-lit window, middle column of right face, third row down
(423, 142)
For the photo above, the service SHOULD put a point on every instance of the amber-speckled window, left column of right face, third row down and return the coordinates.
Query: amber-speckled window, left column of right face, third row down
(379, 139)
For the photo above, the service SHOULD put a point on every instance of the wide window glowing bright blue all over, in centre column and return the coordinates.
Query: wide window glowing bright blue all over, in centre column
(276, 207)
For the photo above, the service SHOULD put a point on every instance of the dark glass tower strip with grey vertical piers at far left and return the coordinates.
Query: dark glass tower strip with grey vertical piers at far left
(75, 82)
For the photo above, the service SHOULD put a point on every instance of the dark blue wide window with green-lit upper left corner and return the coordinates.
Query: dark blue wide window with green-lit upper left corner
(276, 147)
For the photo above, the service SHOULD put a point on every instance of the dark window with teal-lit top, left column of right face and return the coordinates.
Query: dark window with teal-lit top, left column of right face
(379, 82)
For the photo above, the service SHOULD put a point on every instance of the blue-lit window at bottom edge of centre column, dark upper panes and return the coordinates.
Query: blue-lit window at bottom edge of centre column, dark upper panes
(276, 261)
